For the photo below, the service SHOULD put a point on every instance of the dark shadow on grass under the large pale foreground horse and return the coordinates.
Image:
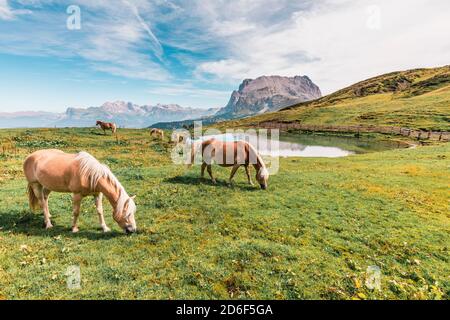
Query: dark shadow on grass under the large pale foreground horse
(32, 224)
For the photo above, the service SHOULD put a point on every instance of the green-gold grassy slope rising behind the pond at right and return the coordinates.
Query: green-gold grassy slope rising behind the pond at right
(416, 99)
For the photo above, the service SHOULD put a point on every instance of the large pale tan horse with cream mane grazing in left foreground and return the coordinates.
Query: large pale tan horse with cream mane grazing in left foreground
(82, 175)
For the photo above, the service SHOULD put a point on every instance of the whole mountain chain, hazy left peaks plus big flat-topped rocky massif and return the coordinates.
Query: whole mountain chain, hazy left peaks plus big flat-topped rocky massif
(267, 93)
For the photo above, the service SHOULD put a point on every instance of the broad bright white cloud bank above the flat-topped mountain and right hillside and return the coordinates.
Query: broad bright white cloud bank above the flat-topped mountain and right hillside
(335, 34)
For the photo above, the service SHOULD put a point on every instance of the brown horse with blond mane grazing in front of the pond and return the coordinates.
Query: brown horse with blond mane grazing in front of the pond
(232, 154)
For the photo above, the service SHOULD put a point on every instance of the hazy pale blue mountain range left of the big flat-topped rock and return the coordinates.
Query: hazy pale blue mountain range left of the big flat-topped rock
(125, 114)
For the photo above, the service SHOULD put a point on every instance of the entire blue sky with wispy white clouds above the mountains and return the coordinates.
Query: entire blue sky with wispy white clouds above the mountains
(195, 53)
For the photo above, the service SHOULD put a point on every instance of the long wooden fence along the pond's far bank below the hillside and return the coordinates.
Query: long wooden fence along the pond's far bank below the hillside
(413, 134)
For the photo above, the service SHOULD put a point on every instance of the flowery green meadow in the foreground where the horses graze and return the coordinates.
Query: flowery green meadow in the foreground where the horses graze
(311, 235)
